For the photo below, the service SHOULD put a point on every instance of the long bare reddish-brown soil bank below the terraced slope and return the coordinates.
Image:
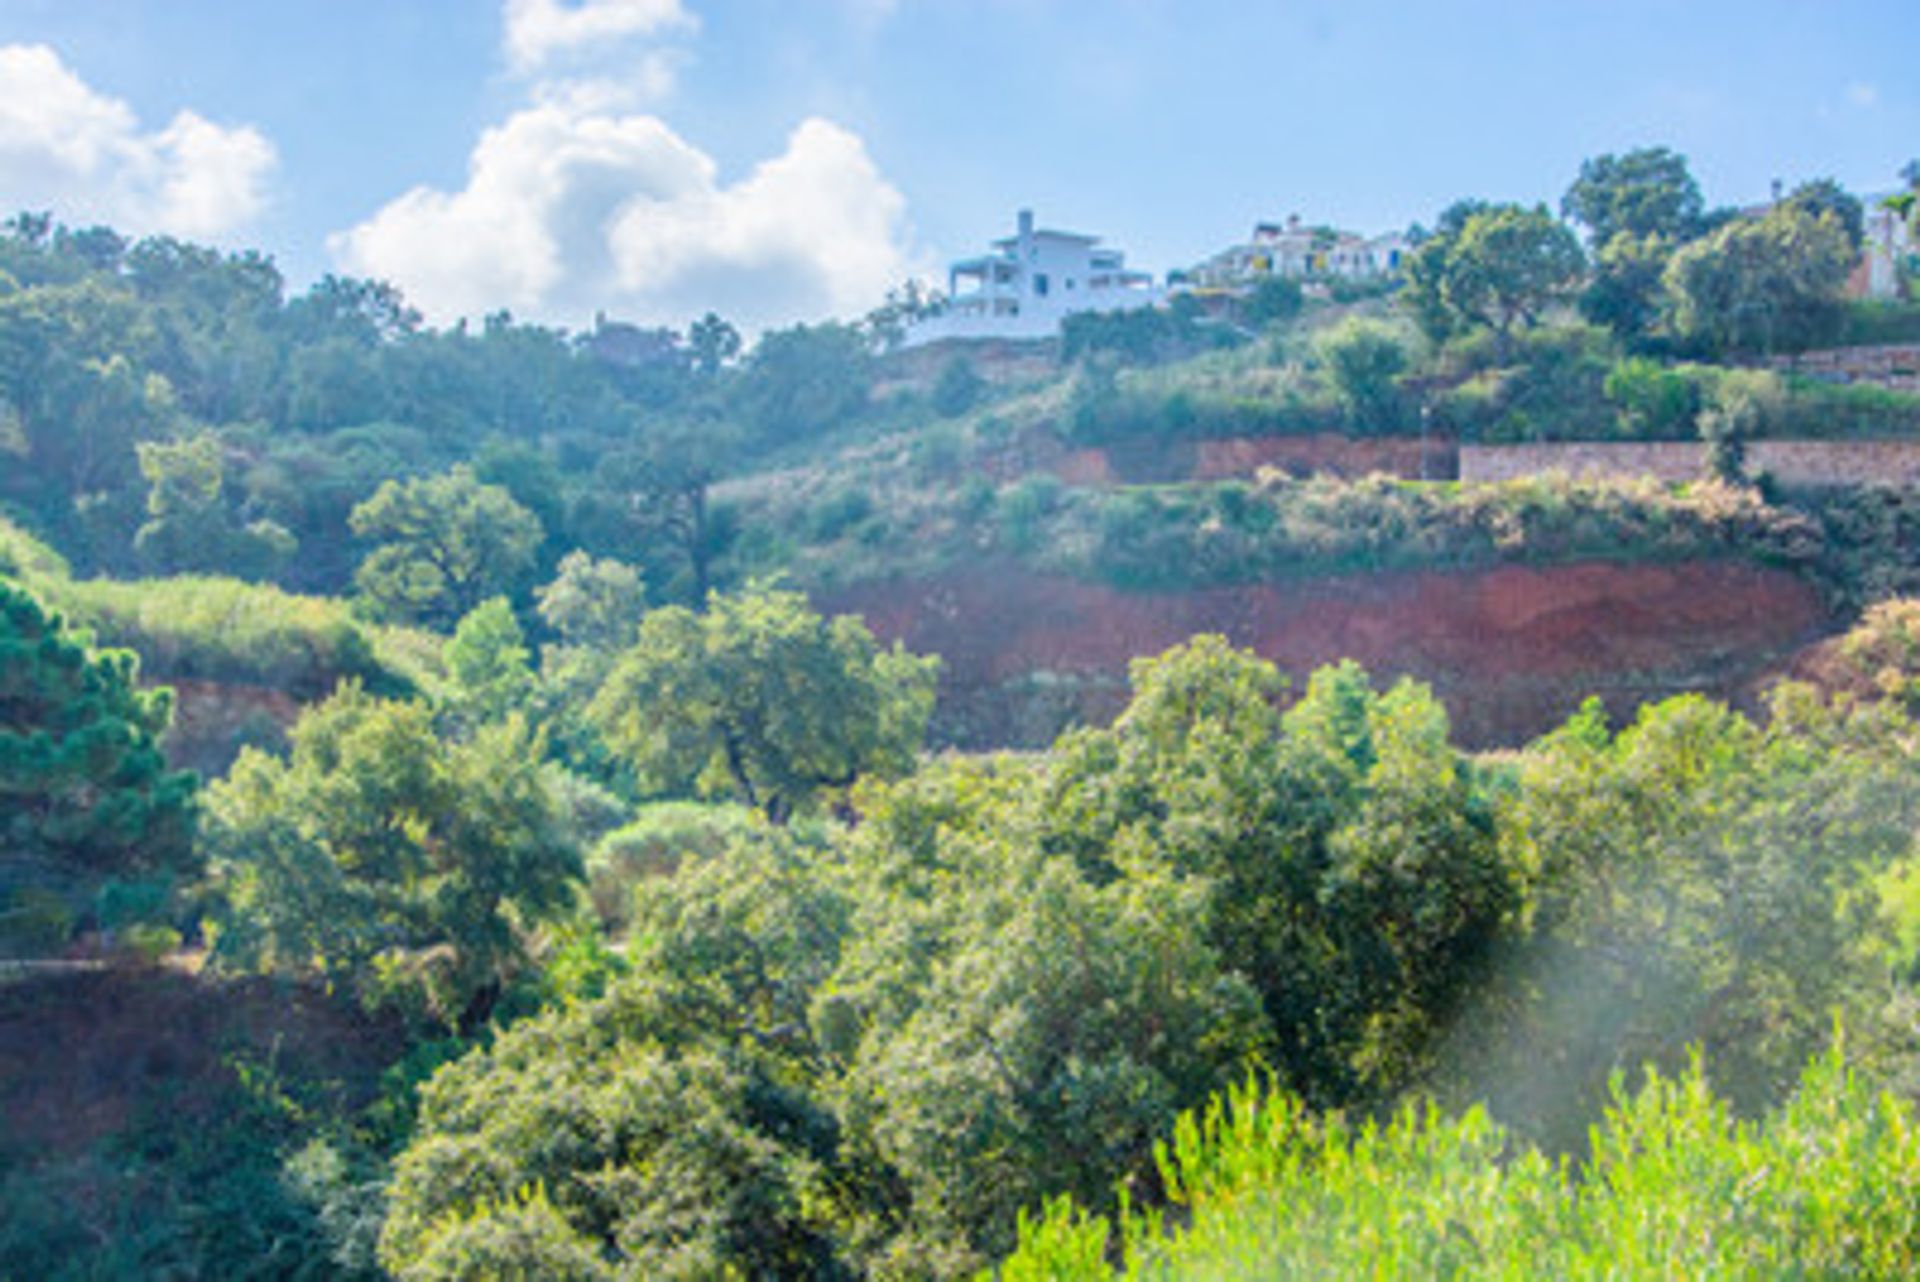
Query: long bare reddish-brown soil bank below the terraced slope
(1512, 650)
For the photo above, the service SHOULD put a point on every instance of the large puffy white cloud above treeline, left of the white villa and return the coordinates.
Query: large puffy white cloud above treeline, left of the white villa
(569, 212)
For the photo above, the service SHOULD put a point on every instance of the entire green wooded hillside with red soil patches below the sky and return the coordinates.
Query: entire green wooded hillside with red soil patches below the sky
(638, 803)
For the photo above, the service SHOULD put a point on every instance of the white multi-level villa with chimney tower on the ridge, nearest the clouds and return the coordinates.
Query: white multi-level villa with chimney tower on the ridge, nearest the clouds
(1032, 283)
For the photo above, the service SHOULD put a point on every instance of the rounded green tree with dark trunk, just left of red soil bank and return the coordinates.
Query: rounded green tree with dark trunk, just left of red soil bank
(765, 701)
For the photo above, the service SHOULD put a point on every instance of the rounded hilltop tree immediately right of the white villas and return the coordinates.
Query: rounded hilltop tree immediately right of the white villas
(1502, 268)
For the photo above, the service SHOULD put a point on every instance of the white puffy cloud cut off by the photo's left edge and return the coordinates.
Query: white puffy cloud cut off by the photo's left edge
(85, 156)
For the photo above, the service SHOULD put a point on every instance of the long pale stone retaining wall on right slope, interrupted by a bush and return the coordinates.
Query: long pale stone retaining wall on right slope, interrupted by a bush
(1790, 463)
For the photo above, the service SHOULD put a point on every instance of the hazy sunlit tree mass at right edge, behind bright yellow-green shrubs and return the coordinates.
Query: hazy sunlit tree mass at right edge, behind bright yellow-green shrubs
(1694, 880)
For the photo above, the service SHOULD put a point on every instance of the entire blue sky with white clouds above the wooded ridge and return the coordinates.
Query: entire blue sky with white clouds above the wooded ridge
(790, 158)
